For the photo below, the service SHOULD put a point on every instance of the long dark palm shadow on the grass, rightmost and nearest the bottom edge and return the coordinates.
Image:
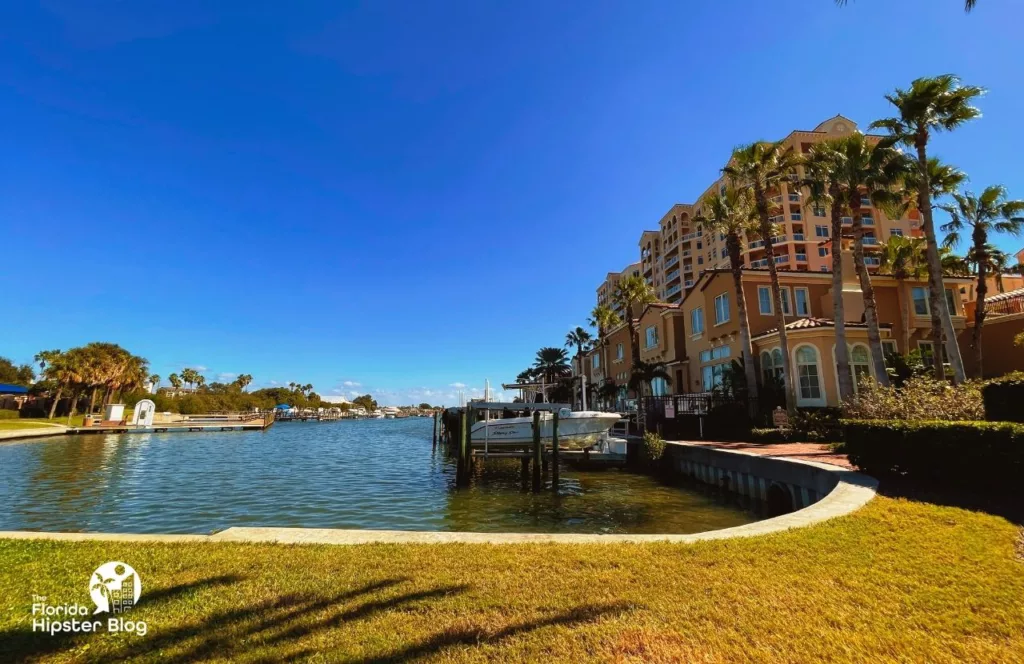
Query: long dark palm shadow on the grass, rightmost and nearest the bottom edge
(439, 643)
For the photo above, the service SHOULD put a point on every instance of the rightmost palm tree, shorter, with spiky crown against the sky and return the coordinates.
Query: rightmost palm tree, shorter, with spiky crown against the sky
(991, 213)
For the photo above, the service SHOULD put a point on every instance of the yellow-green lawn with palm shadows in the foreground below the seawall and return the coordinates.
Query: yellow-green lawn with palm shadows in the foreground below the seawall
(902, 579)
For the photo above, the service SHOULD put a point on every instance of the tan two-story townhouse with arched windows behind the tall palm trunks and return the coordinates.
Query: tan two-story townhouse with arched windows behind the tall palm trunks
(713, 326)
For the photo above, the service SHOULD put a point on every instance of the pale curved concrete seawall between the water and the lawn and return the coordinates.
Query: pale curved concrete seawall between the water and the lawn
(819, 492)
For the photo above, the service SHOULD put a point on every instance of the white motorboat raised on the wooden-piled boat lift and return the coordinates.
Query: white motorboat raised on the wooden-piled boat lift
(576, 430)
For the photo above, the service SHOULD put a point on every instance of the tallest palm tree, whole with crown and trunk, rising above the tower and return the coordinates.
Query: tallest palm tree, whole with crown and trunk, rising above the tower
(932, 105)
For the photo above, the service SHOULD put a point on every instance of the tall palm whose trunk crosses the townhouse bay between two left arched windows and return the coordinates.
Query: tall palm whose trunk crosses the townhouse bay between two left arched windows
(761, 167)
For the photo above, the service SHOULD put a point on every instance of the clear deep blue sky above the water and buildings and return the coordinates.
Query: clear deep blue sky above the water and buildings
(406, 197)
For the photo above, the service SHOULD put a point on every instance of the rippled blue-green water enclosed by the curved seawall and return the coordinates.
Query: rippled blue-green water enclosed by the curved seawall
(366, 474)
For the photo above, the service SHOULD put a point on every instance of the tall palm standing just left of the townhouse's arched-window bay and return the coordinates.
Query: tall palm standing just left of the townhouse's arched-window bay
(734, 215)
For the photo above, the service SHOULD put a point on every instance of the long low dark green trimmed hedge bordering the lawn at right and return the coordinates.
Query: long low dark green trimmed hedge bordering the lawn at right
(979, 455)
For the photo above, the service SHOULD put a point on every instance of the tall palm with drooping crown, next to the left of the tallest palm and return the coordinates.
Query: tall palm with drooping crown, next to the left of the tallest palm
(877, 172)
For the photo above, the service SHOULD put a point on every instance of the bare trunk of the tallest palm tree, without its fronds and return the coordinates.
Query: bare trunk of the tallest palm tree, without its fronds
(942, 322)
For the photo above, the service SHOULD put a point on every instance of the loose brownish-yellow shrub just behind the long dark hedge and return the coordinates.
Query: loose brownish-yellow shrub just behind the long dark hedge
(921, 398)
